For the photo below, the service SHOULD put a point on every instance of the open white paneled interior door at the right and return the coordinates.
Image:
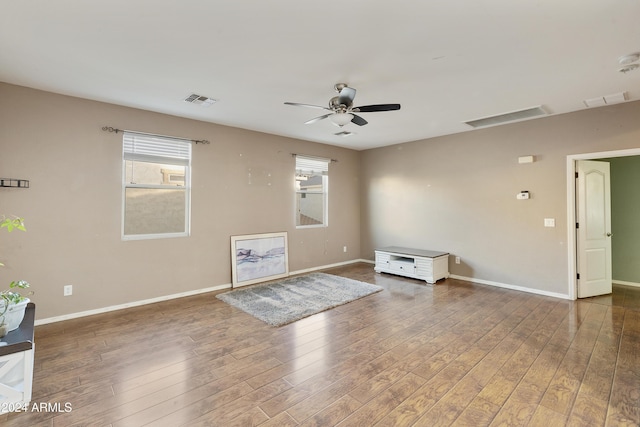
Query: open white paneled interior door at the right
(593, 199)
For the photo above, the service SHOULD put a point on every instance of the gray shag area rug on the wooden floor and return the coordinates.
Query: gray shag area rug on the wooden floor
(292, 299)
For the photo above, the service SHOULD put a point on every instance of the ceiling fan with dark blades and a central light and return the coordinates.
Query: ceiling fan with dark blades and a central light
(341, 109)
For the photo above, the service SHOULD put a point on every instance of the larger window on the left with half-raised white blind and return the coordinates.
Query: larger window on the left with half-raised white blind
(156, 186)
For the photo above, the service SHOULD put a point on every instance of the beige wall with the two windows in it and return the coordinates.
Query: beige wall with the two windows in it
(243, 183)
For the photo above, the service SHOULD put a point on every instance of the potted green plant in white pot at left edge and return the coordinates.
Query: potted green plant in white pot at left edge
(12, 303)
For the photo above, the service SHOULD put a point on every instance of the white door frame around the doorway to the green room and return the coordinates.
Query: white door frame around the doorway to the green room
(572, 213)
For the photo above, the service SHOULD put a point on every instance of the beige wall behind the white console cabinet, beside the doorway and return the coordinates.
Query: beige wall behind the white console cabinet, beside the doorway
(458, 194)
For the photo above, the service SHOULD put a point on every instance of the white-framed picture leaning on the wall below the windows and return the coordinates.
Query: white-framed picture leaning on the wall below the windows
(258, 258)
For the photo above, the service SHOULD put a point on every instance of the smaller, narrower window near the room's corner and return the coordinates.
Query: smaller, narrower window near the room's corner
(312, 182)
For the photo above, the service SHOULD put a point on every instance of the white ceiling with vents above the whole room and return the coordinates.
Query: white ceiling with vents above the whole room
(444, 61)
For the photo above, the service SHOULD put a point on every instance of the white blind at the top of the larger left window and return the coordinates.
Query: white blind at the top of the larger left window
(156, 149)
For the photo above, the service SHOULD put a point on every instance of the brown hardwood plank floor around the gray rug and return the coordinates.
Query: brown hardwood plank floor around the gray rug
(455, 353)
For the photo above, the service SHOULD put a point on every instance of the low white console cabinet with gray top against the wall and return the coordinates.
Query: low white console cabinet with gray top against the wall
(429, 266)
